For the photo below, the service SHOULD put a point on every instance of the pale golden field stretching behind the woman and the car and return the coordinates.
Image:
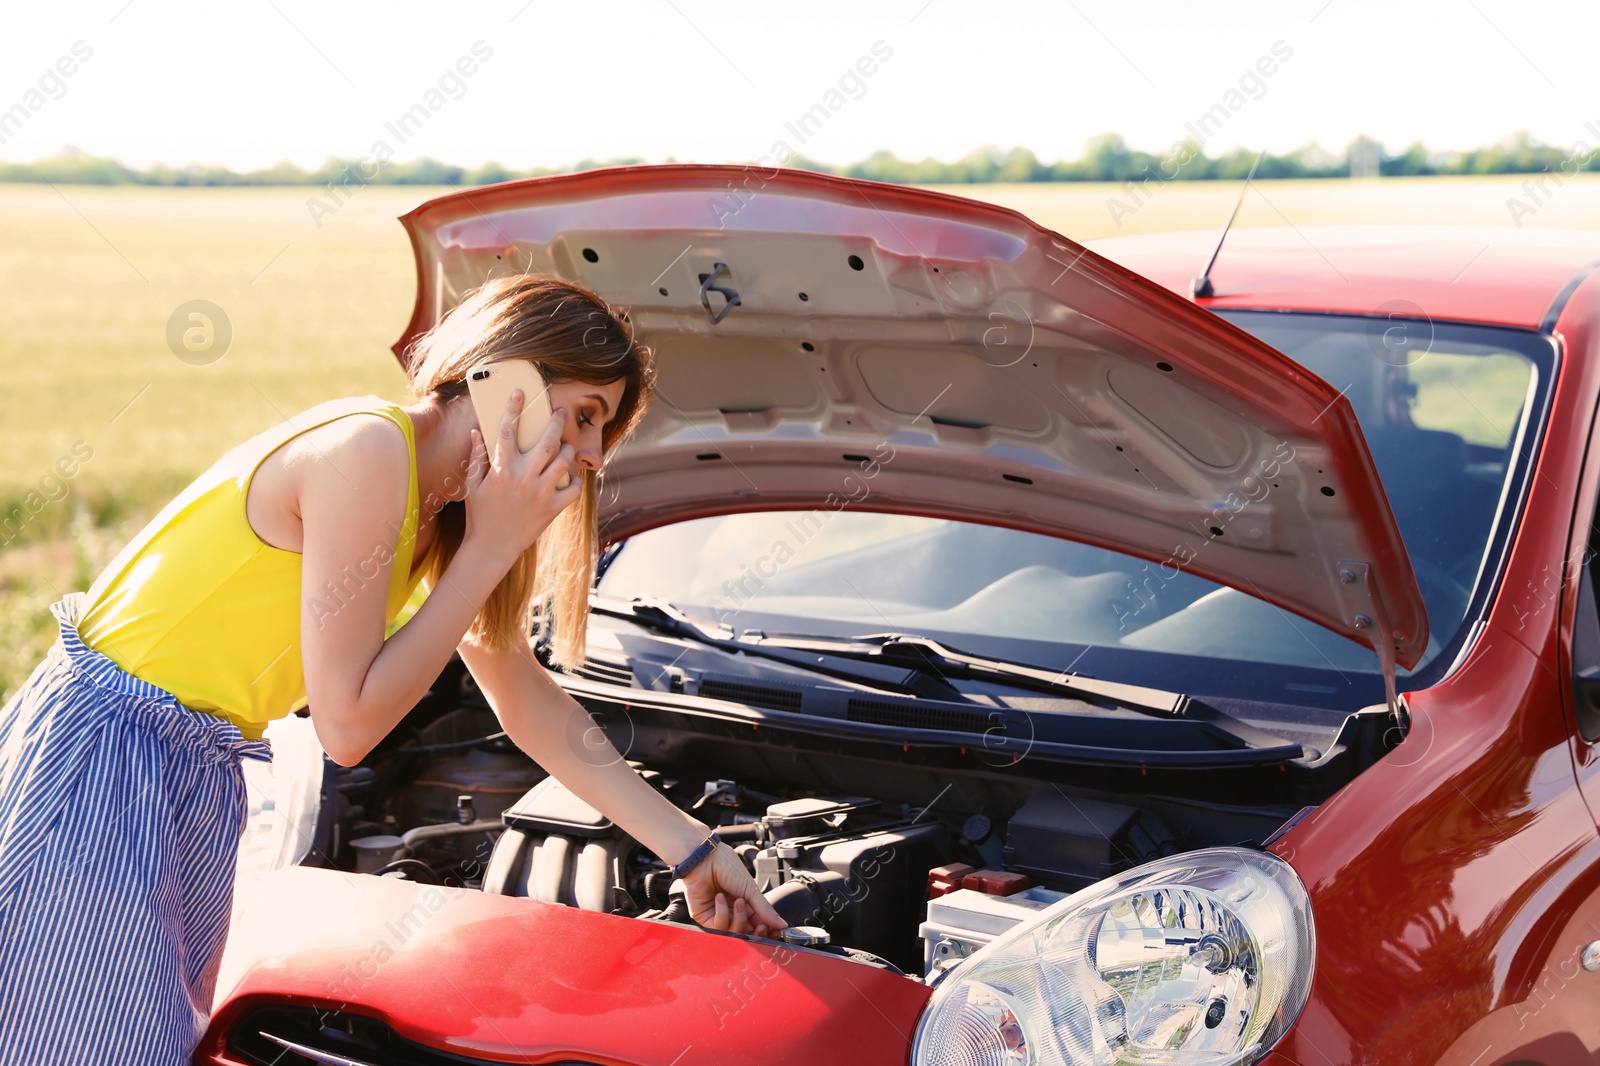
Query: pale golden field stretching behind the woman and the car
(89, 278)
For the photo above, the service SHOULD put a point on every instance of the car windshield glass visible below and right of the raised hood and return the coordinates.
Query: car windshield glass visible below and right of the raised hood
(1450, 414)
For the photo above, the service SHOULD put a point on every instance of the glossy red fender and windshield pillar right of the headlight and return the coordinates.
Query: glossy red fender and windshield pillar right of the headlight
(1455, 883)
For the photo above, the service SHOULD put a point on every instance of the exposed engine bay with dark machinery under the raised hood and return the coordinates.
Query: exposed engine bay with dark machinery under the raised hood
(892, 864)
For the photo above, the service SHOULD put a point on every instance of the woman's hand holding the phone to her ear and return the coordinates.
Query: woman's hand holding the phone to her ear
(513, 495)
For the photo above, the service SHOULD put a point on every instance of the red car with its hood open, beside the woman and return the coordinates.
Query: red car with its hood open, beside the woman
(1092, 673)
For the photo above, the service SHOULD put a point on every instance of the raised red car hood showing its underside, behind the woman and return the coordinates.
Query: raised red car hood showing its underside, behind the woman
(807, 326)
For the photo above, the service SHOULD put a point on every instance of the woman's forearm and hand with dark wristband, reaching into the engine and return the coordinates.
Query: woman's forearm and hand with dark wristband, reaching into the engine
(559, 735)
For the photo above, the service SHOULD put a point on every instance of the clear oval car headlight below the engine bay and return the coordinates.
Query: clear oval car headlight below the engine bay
(1198, 960)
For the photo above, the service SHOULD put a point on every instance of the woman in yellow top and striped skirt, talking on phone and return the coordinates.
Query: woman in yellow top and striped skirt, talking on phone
(268, 583)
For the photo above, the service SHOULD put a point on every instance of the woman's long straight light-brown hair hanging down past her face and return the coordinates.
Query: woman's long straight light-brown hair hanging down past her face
(570, 334)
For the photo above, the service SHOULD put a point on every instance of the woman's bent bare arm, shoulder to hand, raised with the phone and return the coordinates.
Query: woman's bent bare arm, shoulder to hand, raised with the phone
(351, 503)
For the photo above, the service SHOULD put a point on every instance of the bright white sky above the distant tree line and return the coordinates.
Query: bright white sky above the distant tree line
(538, 84)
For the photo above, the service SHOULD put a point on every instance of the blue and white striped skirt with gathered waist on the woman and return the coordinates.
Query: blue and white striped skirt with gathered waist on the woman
(121, 814)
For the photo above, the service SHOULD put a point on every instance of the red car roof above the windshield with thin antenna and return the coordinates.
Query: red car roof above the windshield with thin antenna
(1500, 276)
